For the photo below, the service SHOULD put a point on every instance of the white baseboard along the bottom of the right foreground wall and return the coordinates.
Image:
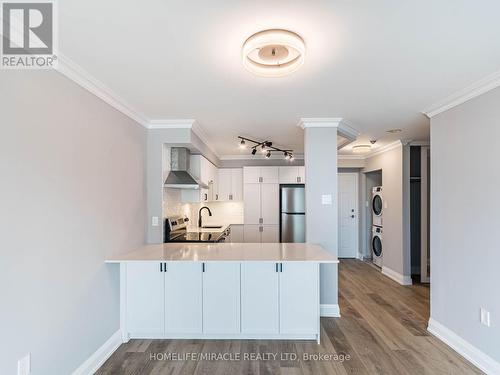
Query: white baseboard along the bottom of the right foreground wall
(478, 358)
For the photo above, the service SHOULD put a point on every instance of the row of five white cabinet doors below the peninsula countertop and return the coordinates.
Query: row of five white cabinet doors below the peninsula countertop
(223, 299)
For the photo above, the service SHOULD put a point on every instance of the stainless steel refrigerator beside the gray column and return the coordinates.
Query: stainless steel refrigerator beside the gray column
(293, 213)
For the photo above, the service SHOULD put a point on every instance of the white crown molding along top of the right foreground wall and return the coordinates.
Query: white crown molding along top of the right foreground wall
(478, 88)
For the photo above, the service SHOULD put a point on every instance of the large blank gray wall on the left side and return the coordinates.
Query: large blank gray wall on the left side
(72, 190)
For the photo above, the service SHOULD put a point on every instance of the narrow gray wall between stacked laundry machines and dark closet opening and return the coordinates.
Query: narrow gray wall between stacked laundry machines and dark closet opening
(396, 254)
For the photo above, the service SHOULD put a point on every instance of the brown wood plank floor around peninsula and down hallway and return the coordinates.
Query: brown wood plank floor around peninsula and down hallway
(382, 329)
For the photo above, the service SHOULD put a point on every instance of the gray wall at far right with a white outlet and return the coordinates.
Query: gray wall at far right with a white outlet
(465, 179)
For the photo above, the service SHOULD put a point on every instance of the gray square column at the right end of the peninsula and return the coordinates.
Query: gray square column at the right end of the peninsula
(321, 220)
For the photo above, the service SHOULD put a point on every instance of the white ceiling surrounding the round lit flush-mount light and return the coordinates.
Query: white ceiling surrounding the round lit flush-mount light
(376, 64)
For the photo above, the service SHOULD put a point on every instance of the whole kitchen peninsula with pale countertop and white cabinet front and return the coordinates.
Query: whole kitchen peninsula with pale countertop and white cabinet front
(221, 291)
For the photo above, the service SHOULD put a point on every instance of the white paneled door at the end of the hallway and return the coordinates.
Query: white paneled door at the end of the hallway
(348, 215)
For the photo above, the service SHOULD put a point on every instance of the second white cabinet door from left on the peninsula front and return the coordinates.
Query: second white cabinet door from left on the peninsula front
(183, 298)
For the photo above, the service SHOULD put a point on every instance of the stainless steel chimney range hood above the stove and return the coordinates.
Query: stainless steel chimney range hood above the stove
(179, 177)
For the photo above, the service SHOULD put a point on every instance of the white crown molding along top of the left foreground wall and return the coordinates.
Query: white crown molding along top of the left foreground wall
(80, 76)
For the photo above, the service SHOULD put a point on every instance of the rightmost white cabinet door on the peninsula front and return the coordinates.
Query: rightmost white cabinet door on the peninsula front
(299, 297)
